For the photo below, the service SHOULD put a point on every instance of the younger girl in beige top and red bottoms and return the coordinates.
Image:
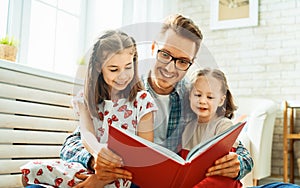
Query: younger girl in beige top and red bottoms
(212, 103)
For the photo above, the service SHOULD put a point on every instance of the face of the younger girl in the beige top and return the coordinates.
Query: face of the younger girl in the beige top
(206, 97)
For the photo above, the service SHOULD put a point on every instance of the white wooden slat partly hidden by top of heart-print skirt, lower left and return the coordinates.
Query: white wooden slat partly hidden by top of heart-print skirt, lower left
(13, 166)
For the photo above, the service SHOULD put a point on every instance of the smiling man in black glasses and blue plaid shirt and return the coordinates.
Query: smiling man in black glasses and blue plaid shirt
(176, 48)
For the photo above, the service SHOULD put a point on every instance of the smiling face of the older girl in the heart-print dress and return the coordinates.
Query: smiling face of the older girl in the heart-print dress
(118, 70)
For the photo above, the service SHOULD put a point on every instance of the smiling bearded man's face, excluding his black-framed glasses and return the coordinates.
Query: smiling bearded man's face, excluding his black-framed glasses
(165, 76)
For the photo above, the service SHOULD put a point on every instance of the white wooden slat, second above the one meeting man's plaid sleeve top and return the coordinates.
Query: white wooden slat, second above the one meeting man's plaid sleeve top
(17, 107)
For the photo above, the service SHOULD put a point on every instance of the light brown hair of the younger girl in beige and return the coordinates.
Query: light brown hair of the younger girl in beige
(228, 108)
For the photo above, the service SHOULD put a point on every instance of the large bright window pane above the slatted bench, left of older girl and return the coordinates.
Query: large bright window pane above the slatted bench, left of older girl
(54, 35)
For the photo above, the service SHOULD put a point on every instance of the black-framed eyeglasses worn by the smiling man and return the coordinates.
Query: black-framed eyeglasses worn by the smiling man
(180, 63)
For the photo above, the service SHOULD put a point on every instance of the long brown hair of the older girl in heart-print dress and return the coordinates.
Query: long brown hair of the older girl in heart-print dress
(96, 89)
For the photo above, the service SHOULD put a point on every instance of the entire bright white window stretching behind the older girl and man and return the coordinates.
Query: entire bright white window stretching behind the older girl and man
(54, 34)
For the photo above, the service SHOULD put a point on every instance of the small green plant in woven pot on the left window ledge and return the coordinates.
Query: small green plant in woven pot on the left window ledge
(8, 48)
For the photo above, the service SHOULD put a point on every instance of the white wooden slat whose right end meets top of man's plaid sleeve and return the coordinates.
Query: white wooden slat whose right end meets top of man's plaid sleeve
(9, 136)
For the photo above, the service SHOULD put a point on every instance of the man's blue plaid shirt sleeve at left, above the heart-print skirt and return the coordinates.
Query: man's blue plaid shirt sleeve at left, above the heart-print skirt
(74, 151)
